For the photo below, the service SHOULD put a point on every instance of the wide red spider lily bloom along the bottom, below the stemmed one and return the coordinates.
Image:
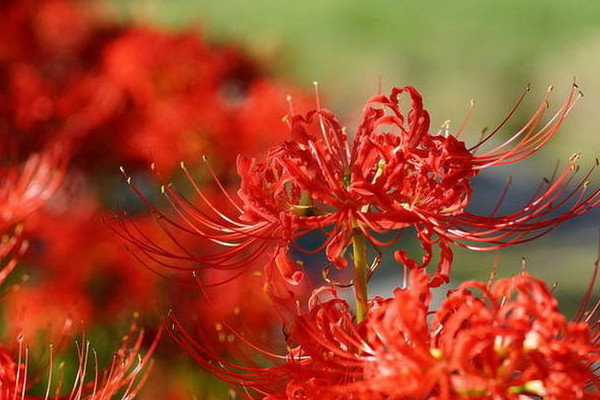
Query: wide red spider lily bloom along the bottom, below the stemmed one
(505, 340)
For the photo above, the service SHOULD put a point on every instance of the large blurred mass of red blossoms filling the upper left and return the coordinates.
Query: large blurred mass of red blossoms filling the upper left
(160, 96)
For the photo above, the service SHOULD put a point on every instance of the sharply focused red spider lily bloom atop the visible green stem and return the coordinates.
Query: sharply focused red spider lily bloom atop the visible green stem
(395, 175)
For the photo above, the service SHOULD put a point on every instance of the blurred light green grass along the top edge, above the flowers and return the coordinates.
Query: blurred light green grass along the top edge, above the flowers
(451, 51)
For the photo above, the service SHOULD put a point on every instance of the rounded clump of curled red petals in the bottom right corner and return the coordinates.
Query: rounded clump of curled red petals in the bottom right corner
(512, 340)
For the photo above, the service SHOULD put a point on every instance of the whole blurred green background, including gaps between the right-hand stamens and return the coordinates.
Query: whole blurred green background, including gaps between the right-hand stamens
(452, 52)
